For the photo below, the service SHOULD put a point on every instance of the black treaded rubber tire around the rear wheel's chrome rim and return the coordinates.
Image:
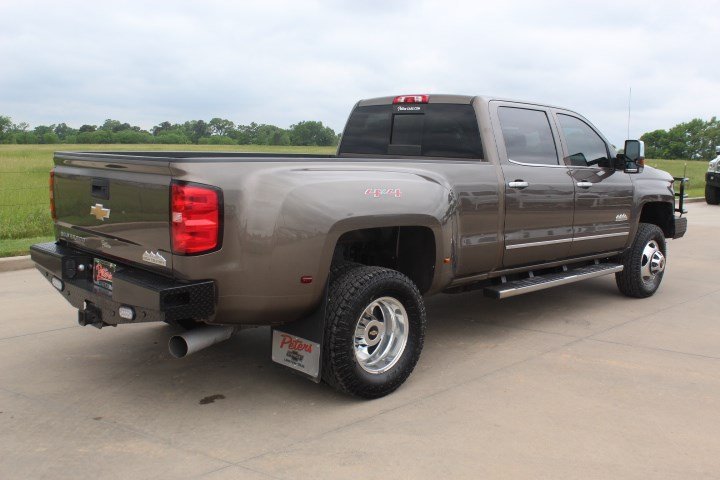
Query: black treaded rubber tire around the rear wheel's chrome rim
(350, 294)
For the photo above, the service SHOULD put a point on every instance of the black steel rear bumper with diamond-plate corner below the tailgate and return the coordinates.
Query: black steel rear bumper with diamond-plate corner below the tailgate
(152, 297)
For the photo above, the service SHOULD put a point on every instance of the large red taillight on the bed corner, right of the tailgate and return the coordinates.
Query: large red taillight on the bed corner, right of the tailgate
(195, 218)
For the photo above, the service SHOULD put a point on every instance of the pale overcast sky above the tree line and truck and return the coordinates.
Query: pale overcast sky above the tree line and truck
(281, 62)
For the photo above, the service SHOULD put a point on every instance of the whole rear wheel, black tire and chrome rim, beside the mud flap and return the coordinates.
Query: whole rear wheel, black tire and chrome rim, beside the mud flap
(376, 328)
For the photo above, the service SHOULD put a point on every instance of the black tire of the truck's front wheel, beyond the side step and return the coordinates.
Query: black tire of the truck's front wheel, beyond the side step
(632, 281)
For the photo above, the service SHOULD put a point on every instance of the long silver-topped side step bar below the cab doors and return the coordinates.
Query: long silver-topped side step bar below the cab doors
(533, 284)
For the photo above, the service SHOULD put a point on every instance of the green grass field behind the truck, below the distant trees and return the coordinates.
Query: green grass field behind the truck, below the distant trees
(24, 205)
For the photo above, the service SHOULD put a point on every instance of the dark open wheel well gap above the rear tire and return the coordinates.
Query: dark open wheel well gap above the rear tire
(409, 250)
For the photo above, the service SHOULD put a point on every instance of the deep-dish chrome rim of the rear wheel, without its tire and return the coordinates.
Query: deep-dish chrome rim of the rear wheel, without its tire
(381, 334)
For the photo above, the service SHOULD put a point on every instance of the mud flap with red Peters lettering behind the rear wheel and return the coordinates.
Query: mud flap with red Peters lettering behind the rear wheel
(298, 345)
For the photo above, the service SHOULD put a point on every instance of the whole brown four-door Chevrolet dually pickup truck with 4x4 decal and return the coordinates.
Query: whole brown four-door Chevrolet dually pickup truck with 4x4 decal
(427, 194)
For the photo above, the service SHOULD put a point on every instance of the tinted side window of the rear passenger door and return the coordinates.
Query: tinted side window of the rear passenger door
(528, 137)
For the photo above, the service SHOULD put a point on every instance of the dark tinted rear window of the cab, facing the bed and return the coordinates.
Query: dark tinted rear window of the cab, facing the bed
(434, 130)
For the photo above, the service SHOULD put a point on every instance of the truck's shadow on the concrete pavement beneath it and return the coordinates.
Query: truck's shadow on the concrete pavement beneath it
(239, 371)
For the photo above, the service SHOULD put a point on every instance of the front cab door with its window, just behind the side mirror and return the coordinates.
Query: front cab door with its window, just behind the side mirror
(603, 195)
